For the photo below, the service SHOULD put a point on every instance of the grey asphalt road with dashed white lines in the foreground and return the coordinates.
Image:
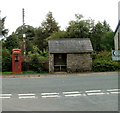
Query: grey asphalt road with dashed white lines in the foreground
(91, 92)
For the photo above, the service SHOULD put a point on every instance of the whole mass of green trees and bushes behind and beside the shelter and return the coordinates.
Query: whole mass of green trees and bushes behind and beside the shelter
(36, 42)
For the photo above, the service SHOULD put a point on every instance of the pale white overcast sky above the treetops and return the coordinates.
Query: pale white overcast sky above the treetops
(63, 11)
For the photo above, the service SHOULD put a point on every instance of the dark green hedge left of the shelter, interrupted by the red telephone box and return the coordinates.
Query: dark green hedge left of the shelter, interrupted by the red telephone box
(35, 62)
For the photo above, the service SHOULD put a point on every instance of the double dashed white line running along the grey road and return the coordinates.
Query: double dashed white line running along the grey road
(65, 93)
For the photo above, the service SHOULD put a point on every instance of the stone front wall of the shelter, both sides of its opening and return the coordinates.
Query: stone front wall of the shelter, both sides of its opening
(79, 62)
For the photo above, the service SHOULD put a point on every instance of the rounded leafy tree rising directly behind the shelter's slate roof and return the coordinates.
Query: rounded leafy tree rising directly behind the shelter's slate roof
(79, 28)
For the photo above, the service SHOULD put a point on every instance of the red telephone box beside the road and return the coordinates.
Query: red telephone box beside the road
(16, 61)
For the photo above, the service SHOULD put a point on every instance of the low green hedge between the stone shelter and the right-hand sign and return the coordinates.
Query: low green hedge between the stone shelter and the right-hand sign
(102, 61)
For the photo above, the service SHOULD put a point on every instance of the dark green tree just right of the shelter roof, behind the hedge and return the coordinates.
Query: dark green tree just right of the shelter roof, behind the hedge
(102, 37)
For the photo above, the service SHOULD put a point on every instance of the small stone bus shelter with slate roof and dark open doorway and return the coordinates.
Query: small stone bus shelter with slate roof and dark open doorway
(70, 55)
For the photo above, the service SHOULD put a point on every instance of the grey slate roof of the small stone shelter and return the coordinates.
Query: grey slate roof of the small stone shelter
(71, 45)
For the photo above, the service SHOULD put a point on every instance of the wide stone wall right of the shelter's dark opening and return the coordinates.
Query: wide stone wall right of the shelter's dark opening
(79, 62)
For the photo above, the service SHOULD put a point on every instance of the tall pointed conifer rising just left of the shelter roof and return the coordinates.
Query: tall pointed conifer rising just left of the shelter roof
(48, 27)
